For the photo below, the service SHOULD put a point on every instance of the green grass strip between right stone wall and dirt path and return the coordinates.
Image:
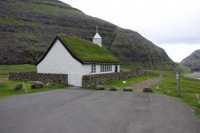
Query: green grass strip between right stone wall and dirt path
(129, 81)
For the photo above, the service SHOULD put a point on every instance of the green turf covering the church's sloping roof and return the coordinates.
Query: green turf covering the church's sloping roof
(87, 51)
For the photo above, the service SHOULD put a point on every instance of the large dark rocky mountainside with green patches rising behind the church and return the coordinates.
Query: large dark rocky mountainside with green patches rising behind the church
(27, 28)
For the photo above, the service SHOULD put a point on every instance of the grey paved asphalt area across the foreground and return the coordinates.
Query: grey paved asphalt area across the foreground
(84, 111)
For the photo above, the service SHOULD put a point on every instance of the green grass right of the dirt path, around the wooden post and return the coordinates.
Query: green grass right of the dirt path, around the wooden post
(189, 88)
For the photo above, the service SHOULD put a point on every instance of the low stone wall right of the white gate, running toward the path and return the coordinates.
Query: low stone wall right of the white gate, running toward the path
(90, 80)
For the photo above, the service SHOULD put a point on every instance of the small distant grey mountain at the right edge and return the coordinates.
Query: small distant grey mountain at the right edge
(193, 61)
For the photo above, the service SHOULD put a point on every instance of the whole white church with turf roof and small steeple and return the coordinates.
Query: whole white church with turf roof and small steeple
(77, 57)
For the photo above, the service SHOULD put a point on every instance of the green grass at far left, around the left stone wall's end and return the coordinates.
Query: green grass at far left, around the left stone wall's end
(6, 86)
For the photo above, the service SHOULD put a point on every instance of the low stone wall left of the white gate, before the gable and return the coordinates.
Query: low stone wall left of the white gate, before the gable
(34, 76)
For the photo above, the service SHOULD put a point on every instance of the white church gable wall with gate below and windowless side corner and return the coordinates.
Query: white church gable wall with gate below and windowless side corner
(60, 61)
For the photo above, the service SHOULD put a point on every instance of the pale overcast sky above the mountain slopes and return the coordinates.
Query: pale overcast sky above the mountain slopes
(173, 25)
